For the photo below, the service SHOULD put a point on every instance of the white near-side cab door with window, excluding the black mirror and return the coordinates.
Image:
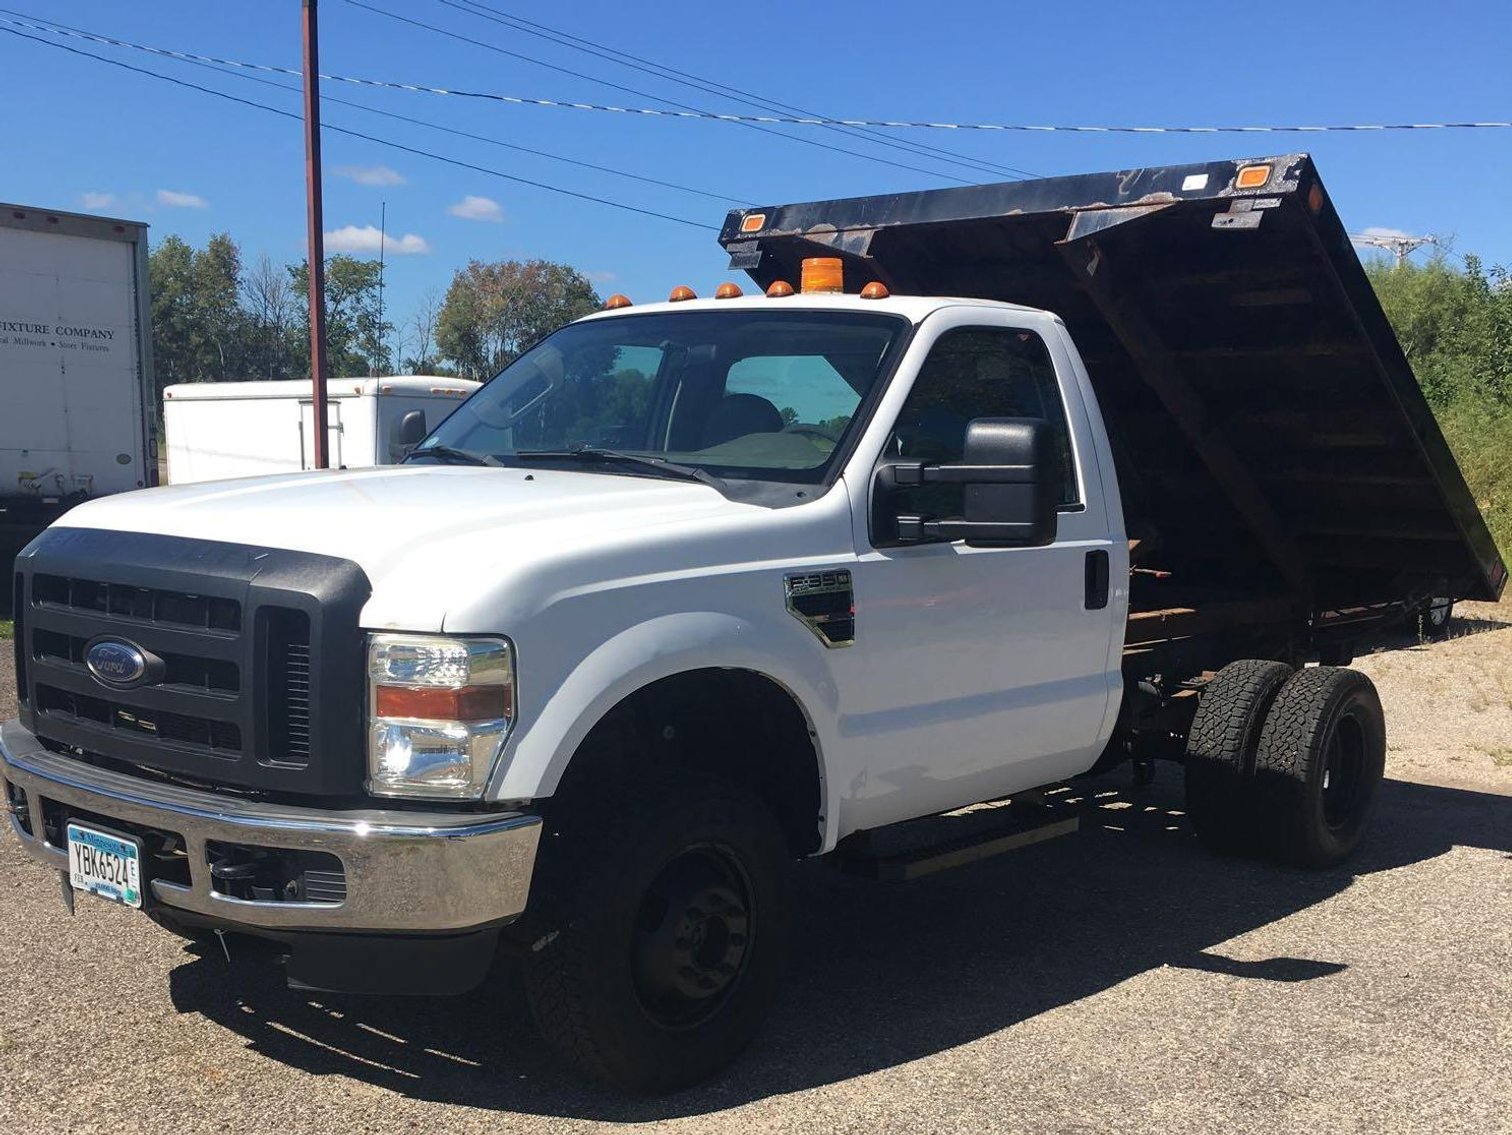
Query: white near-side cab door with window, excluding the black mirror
(982, 672)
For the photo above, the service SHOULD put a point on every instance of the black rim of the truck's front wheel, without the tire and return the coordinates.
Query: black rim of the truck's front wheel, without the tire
(693, 936)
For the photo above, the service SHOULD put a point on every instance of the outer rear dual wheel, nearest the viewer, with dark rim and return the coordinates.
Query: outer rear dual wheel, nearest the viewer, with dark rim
(1319, 767)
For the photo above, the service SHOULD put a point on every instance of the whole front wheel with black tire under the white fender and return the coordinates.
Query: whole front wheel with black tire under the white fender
(666, 924)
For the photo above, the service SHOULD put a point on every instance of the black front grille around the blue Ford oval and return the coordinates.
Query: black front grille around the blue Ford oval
(256, 672)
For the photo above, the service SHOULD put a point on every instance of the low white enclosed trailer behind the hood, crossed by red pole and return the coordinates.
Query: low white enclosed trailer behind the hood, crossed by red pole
(240, 430)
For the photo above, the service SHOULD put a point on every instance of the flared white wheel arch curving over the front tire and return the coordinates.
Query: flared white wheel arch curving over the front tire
(645, 654)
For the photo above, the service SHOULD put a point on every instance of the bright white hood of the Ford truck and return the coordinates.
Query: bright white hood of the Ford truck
(423, 533)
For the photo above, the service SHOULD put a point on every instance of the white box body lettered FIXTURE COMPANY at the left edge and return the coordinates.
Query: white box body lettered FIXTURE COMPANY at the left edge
(76, 371)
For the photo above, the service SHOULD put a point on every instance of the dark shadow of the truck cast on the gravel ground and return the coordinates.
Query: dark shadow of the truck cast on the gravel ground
(882, 974)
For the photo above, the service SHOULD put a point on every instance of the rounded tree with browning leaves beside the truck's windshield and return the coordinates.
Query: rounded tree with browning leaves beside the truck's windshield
(494, 312)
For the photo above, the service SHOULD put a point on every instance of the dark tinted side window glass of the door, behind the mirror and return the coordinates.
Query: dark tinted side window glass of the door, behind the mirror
(979, 373)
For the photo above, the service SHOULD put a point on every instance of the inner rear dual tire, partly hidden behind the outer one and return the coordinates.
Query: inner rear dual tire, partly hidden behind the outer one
(1221, 753)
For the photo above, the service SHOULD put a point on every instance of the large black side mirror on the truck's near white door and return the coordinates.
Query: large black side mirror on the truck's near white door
(1011, 478)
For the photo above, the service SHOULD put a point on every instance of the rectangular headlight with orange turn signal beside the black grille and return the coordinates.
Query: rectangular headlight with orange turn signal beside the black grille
(441, 711)
